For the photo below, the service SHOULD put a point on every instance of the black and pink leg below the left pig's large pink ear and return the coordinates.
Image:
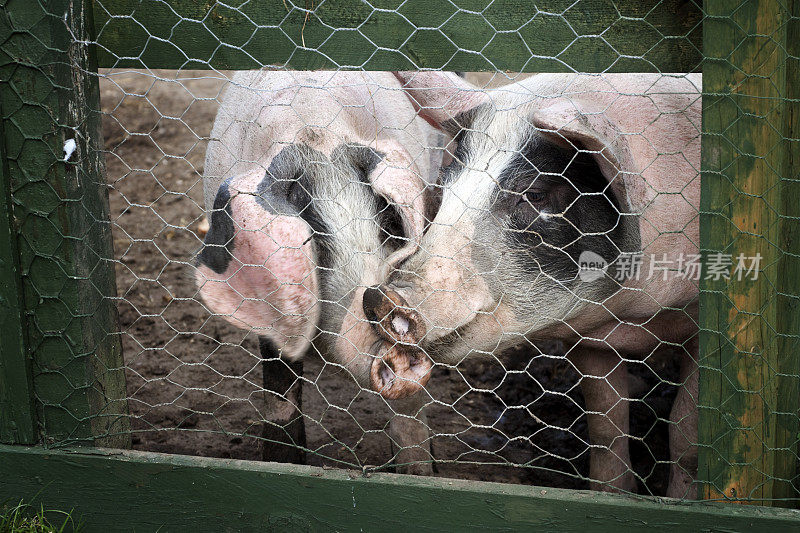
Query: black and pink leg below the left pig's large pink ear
(284, 429)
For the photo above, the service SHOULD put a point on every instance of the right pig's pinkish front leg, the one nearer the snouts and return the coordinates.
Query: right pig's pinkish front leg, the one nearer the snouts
(605, 389)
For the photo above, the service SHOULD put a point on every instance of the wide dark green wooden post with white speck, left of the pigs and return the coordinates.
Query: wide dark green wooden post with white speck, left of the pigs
(49, 95)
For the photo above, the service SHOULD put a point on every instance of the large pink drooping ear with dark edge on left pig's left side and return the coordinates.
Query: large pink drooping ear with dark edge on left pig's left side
(256, 268)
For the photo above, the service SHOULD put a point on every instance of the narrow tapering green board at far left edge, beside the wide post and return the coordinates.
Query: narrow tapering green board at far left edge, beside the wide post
(17, 423)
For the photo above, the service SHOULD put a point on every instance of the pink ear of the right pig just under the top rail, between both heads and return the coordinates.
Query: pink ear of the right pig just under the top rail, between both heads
(441, 96)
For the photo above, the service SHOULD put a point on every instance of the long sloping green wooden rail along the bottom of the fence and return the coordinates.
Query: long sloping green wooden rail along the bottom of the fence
(115, 490)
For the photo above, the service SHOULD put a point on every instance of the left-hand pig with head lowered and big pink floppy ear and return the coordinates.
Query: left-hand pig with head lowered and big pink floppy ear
(317, 183)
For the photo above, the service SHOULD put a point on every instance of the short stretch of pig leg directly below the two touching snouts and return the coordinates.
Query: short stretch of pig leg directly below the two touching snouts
(410, 436)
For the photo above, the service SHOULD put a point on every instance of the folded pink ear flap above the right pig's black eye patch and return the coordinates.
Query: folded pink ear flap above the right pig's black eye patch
(566, 126)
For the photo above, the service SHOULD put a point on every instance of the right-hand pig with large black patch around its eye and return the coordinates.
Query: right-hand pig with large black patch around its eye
(544, 171)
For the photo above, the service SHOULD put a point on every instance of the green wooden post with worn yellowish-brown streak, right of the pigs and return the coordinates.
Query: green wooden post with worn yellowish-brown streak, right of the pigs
(750, 362)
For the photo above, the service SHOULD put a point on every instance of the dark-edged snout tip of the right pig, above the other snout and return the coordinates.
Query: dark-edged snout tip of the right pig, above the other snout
(391, 316)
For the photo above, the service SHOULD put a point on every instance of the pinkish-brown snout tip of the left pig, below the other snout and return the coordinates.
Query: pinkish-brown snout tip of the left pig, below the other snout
(400, 373)
